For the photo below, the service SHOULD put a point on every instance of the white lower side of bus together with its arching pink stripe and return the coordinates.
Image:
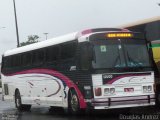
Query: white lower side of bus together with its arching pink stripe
(42, 86)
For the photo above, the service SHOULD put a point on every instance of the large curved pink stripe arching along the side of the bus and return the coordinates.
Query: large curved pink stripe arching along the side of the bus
(60, 76)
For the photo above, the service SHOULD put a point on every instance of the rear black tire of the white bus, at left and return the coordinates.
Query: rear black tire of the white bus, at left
(18, 102)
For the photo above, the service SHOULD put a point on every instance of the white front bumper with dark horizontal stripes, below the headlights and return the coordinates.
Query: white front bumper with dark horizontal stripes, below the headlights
(123, 102)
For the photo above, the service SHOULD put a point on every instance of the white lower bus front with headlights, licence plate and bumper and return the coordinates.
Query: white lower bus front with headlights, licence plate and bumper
(116, 90)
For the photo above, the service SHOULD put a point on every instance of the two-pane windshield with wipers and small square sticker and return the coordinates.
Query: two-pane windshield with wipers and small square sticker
(120, 53)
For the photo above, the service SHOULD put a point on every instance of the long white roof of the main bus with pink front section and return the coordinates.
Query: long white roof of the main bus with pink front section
(58, 40)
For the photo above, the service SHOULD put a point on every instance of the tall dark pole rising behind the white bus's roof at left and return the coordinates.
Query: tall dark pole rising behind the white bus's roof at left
(16, 23)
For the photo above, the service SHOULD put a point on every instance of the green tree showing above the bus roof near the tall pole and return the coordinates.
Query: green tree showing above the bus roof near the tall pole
(31, 39)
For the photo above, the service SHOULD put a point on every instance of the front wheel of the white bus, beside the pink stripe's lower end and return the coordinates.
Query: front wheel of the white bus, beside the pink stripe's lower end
(73, 103)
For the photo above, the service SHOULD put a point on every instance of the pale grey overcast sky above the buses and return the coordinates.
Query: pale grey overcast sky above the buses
(59, 17)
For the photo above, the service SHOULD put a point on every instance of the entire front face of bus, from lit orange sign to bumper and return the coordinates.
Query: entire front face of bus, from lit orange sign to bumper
(122, 72)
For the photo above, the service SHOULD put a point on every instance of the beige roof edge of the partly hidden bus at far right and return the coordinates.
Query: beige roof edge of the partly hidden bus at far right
(140, 22)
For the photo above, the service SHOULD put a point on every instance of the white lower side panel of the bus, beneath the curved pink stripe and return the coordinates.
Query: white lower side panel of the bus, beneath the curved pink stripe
(34, 88)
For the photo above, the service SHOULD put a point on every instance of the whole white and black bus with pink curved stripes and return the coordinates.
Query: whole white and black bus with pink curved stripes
(101, 68)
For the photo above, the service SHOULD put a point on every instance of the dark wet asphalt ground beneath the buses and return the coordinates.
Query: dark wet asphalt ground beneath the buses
(9, 112)
